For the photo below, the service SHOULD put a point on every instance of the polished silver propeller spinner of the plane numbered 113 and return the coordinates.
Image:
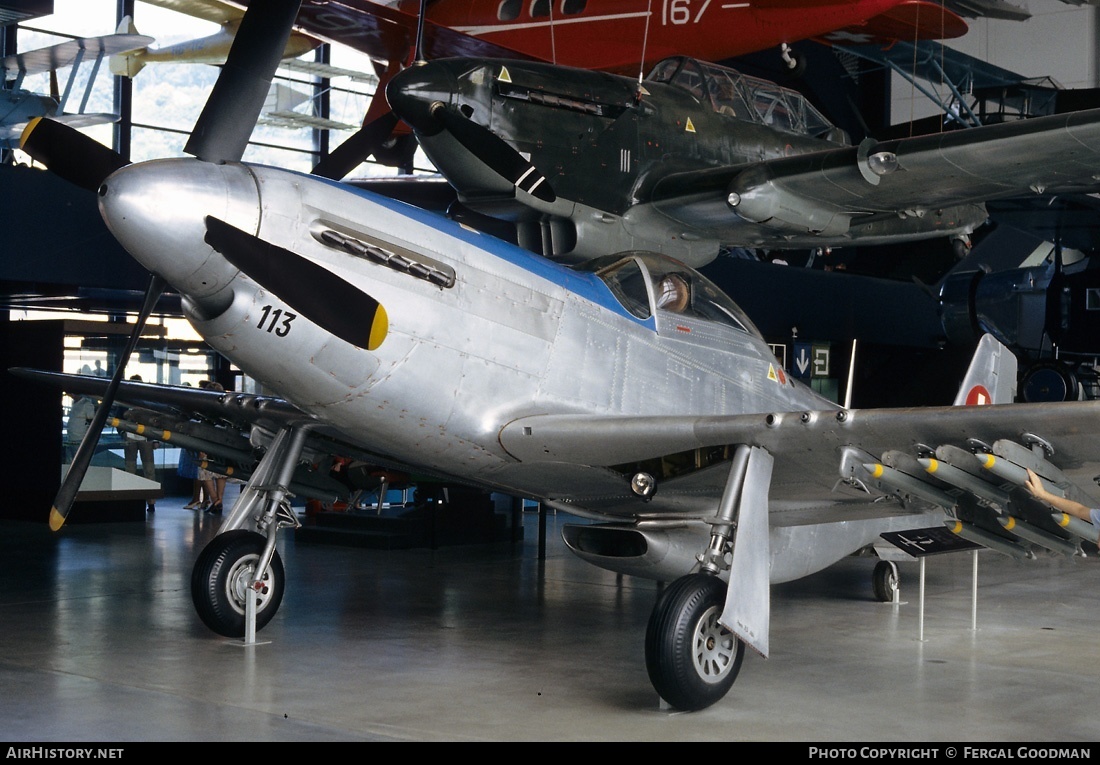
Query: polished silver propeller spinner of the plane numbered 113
(170, 239)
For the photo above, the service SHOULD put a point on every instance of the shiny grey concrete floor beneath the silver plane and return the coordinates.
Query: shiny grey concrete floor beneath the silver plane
(100, 642)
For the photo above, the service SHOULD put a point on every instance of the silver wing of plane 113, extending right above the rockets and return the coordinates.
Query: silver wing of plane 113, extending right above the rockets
(812, 452)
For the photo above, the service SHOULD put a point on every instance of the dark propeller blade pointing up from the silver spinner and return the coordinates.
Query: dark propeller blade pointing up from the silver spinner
(225, 127)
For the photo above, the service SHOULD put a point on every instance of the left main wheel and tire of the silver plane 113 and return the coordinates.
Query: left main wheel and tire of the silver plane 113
(223, 577)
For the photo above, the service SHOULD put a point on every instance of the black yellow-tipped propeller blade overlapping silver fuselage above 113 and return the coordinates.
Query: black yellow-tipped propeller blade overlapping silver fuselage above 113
(315, 292)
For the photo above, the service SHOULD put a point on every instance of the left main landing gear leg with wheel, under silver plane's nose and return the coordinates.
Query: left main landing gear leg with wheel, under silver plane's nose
(240, 565)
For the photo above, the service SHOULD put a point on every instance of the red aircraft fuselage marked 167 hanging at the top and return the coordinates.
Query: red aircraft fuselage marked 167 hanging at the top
(629, 36)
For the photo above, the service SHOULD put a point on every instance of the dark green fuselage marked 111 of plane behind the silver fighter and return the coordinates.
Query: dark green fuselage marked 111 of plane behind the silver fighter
(650, 166)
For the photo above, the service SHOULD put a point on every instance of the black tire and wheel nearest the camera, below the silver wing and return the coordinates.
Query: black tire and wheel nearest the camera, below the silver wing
(692, 660)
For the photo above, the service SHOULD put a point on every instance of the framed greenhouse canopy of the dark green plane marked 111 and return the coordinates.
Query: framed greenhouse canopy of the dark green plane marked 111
(750, 99)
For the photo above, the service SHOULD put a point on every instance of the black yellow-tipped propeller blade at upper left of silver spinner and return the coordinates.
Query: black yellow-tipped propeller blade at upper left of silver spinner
(69, 154)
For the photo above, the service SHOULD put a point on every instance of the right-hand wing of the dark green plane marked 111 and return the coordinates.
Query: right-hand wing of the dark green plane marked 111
(837, 191)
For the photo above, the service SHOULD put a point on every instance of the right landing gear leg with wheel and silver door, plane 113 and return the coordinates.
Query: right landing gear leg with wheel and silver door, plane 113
(691, 657)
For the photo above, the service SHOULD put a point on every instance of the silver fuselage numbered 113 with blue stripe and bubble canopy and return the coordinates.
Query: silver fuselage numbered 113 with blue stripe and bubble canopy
(512, 335)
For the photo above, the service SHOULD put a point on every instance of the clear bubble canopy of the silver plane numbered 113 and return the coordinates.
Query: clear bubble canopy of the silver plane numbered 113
(647, 285)
